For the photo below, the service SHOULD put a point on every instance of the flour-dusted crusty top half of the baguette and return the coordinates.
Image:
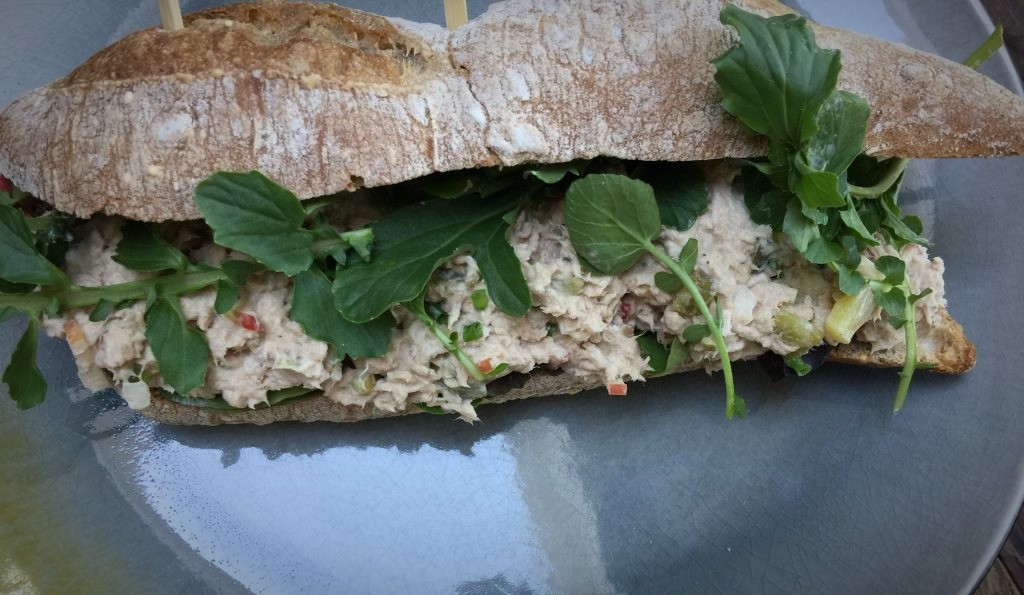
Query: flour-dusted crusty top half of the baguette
(325, 100)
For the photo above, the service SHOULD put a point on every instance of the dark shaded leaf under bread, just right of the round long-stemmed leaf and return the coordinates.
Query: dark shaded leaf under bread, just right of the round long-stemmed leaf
(681, 192)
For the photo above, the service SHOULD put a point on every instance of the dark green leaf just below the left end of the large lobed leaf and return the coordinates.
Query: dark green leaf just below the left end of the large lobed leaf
(313, 309)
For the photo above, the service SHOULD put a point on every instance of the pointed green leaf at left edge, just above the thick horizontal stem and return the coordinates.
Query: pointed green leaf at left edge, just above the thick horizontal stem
(21, 262)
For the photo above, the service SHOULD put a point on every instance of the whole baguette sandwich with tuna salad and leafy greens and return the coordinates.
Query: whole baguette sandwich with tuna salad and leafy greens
(295, 211)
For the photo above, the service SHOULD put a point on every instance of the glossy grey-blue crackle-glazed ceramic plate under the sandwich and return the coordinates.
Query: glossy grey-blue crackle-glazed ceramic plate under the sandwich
(821, 491)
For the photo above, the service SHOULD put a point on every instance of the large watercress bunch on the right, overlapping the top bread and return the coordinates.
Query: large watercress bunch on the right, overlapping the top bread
(781, 84)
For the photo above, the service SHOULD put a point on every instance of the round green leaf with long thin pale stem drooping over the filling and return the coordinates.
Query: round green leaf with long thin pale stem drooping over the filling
(613, 222)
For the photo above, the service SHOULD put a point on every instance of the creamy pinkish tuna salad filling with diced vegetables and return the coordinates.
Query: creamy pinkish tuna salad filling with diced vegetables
(766, 295)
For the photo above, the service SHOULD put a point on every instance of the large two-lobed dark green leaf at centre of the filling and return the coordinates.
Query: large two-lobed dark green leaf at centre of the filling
(413, 242)
